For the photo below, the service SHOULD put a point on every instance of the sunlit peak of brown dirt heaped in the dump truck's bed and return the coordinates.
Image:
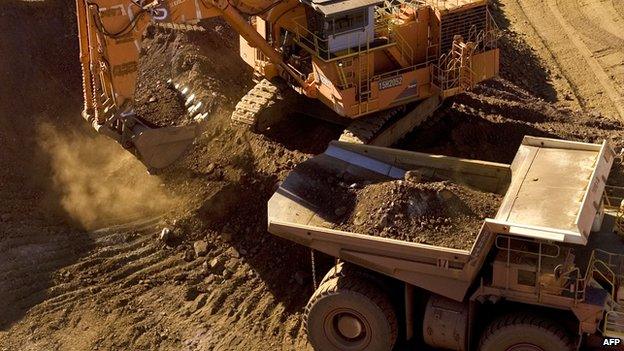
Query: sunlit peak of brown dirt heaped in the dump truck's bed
(437, 213)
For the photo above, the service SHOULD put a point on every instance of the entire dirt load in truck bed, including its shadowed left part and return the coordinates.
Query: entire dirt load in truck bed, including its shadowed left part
(429, 211)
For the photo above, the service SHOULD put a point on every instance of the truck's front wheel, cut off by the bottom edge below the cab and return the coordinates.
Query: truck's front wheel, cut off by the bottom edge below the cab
(525, 332)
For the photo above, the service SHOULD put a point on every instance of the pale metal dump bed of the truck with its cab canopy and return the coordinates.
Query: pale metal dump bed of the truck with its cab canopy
(570, 180)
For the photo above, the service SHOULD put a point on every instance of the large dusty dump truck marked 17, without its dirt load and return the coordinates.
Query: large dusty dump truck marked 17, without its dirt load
(539, 275)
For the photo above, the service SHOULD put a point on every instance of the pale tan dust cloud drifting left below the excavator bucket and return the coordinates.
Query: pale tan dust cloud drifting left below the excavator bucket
(100, 183)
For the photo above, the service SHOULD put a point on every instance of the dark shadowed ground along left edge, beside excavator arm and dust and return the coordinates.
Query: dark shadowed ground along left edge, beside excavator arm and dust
(39, 84)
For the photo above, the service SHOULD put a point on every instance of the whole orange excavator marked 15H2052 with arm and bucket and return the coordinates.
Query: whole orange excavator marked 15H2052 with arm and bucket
(384, 66)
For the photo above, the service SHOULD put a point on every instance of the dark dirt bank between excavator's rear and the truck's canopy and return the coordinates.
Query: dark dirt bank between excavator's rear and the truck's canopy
(490, 122)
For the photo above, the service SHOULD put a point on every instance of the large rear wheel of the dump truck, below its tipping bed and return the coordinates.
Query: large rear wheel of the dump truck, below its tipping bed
(347, 313)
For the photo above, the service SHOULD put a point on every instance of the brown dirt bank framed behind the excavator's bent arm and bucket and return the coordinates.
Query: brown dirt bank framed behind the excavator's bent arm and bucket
(205, 63)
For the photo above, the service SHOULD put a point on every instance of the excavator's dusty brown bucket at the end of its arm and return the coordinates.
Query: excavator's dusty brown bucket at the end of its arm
(160, 147)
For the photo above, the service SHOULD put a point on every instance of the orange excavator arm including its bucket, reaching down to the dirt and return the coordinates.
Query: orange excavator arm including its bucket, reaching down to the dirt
(110, 33)
